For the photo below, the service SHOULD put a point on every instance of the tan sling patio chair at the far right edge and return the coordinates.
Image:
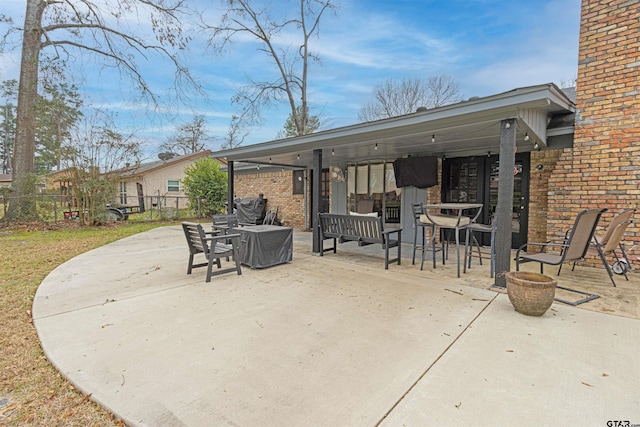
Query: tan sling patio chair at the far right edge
(611, 241)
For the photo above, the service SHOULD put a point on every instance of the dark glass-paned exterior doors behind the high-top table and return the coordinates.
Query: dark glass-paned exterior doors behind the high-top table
(475, 180)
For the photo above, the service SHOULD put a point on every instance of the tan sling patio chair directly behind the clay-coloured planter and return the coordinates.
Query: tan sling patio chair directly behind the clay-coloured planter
(573, 249)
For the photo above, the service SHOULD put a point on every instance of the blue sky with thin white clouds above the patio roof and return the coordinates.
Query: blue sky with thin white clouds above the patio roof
(487, 46)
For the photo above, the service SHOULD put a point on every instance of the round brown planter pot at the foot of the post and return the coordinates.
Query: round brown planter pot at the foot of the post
(530, 293)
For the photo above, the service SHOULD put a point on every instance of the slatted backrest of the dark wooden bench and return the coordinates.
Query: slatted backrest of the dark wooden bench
(367, 229)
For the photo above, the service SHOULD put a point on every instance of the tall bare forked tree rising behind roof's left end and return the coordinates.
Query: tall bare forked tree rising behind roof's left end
(291, 61)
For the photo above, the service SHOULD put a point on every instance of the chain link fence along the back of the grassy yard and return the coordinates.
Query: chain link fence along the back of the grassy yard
(55, 208)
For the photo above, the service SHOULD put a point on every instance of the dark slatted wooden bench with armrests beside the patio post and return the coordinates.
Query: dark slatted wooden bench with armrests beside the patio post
(365, 230)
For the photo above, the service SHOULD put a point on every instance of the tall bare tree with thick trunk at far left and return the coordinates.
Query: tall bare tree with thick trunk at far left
(61, 29)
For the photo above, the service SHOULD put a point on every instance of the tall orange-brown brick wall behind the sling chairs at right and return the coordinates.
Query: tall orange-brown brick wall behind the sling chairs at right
(603, 169)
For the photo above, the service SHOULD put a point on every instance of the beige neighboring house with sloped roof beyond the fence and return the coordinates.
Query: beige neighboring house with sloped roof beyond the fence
(158, 182)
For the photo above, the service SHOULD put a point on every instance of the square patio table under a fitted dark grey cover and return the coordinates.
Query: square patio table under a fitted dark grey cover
(263, 246)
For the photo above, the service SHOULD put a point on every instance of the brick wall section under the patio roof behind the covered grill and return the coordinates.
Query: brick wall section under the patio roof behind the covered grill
(277, 188)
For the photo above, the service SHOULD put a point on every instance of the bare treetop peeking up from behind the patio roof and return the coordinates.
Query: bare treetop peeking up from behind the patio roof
(393, 98)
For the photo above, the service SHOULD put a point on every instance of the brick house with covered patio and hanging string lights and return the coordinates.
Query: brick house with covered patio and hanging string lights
(573, 149)
